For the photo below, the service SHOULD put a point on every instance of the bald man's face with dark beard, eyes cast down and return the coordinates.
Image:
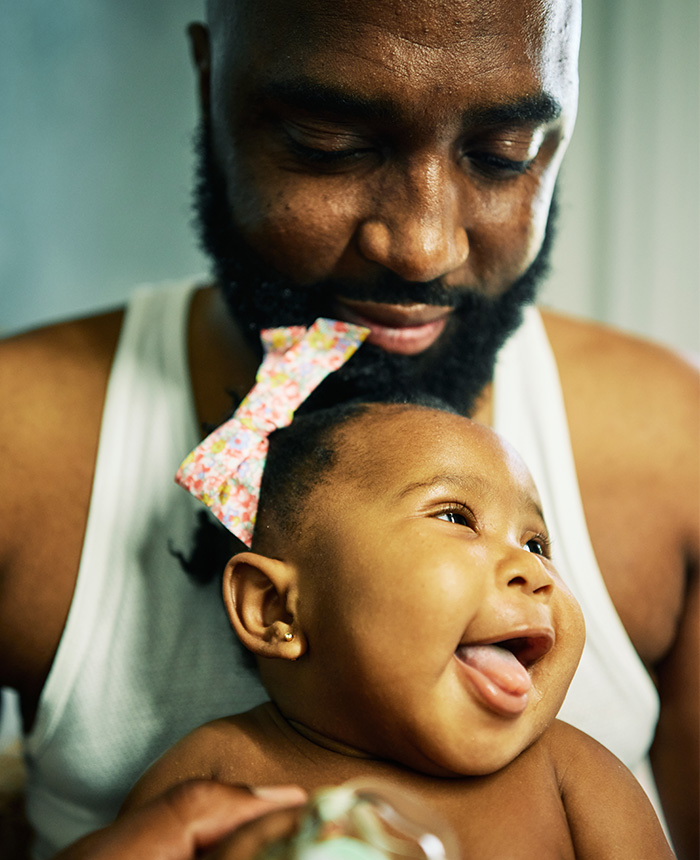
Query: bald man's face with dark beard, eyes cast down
(387, 164)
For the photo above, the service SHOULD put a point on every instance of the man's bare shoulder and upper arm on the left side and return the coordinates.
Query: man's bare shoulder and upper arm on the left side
(52, 386)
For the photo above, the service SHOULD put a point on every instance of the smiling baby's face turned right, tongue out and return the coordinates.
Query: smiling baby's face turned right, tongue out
(439, 633)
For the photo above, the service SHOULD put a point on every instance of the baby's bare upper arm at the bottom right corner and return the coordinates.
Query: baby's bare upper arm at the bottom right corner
(609, 814)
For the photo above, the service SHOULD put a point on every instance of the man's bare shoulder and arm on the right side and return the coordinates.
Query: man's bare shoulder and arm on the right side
(634, 417)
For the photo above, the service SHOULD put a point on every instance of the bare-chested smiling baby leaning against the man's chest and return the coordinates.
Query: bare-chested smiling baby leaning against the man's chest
(409, 626)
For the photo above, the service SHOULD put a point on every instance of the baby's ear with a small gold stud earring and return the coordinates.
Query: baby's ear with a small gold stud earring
(259, 595)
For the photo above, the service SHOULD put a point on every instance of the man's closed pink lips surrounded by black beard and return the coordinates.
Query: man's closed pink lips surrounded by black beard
(403, 329)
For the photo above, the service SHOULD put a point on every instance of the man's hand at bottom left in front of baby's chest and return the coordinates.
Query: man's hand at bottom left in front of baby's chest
(196, 817)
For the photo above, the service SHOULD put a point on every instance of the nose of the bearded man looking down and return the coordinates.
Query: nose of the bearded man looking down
(415, 228)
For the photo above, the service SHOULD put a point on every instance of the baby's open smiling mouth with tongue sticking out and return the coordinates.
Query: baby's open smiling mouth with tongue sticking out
(499, 671)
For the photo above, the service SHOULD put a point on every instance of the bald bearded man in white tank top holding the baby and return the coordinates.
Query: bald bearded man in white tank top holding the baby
(388, 164)
